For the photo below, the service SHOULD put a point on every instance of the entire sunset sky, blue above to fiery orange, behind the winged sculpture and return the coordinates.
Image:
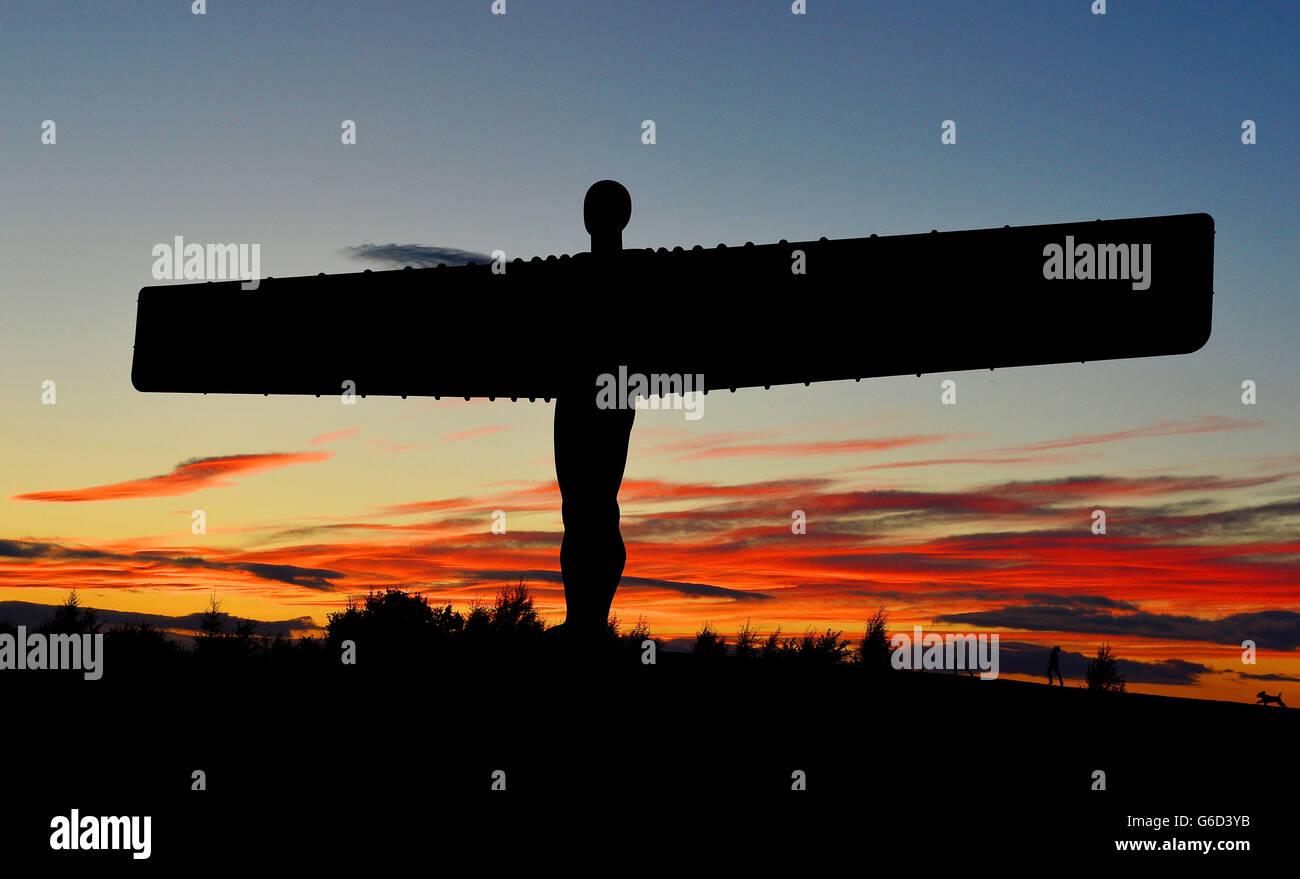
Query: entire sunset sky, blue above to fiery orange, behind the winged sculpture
(483, 132)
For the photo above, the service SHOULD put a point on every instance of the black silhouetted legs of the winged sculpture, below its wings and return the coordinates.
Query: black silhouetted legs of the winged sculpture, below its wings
(591, 453)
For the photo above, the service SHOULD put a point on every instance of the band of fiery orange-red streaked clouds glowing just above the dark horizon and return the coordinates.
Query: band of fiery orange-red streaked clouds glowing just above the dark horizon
(1019, 556)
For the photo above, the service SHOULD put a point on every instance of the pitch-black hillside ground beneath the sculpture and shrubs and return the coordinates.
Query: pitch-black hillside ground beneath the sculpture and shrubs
(904, 769)
